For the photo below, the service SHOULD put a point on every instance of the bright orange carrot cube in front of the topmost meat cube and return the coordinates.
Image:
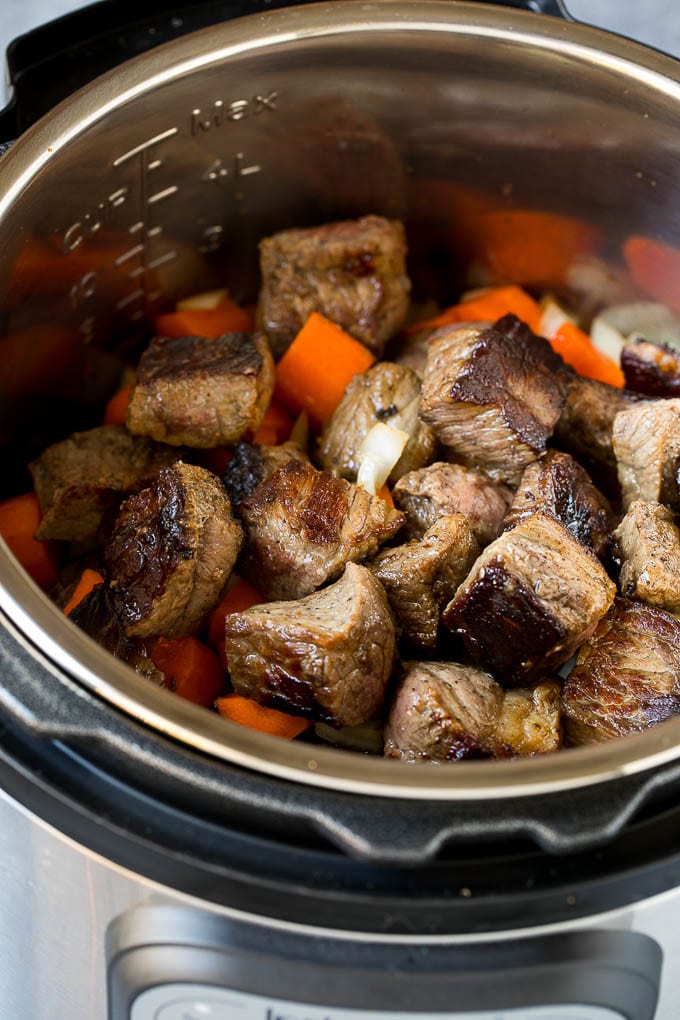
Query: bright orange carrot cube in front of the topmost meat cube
(315, 373)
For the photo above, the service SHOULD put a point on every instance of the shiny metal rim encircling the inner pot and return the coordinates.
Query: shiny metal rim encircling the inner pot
(71, 650)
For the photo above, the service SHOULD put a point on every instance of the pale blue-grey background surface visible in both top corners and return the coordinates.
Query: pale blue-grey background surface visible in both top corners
(655, 22)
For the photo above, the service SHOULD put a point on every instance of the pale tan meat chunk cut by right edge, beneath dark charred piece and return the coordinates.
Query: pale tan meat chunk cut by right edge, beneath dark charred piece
(647, 444)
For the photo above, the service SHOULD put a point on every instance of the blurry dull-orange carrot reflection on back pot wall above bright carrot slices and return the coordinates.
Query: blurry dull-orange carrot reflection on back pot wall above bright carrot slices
(532, 248)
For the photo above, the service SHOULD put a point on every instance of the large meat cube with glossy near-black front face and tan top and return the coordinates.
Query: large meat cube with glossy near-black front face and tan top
(534, 596)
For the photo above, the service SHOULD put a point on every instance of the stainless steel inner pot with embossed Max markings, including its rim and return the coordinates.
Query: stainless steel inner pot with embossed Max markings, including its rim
(160, 179)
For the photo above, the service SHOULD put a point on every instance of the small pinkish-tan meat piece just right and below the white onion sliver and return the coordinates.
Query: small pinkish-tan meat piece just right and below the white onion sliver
(445, 489)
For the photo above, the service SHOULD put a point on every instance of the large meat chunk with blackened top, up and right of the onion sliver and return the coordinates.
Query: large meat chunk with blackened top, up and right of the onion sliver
(494, 397)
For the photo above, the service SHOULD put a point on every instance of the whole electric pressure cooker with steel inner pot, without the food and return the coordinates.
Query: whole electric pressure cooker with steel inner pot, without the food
(158, 862)
